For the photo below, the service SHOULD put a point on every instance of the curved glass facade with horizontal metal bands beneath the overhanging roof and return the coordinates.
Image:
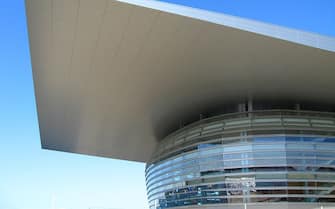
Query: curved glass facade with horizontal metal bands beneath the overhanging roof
(268, 156)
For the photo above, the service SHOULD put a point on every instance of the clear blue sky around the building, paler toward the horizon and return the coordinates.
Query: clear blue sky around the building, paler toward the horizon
(30, 177)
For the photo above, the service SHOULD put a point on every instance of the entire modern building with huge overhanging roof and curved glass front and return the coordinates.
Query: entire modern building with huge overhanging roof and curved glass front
(226, 112)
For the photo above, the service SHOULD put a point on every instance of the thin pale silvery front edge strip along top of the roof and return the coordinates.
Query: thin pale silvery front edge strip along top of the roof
(288, 34)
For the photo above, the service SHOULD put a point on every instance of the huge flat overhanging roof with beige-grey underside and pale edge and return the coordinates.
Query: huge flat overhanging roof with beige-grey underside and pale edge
(114, 77)
